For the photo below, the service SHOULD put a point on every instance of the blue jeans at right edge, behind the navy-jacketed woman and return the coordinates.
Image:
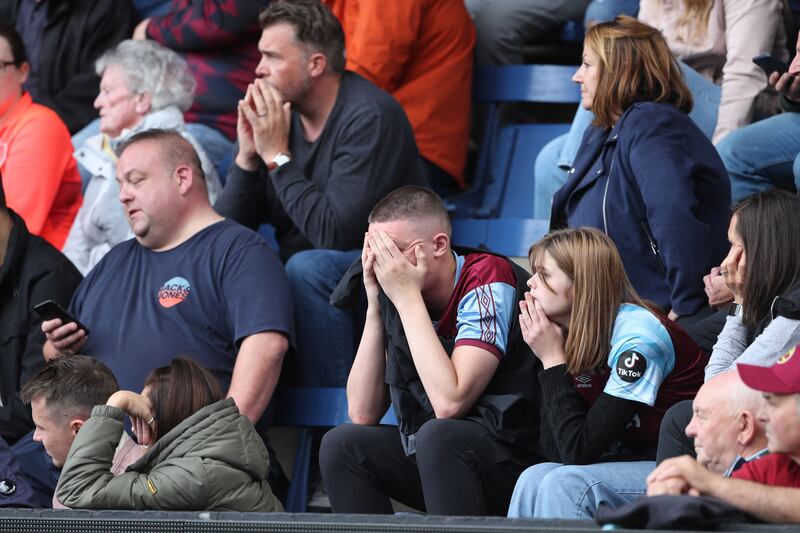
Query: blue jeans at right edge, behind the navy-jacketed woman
(761, 156)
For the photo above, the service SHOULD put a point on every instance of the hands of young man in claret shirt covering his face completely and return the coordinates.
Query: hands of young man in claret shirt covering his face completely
(387, 267)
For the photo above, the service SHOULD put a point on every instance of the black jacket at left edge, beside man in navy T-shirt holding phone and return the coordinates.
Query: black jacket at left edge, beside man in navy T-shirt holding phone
(32, 272)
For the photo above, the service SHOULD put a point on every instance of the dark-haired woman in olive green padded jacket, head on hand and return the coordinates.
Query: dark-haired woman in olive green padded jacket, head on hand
(203, 455)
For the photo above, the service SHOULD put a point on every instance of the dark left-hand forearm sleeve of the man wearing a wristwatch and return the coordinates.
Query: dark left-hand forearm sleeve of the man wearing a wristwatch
(244, 197)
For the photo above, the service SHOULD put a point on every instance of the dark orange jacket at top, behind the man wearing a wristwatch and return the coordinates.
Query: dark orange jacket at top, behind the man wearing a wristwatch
(420, 51)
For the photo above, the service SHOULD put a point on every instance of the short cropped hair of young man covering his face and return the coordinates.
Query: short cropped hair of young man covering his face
(408, 203)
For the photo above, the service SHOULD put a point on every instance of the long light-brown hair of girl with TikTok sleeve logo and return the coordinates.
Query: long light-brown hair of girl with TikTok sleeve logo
(600, 285)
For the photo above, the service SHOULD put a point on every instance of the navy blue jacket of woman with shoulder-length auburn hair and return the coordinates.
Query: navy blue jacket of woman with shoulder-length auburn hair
(657, 187)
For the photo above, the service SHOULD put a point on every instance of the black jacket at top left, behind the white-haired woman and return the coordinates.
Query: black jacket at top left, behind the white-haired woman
(77, 32)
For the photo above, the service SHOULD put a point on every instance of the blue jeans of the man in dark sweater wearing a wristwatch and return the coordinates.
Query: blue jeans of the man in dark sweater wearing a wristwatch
(326, 335)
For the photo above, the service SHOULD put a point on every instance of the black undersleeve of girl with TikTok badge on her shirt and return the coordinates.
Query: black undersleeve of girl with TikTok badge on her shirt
(581, 435)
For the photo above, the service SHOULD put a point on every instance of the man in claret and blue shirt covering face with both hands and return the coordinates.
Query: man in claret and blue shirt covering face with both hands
(441, 343)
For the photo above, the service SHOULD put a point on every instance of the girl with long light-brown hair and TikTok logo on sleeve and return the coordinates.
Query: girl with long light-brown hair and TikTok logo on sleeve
(612, 366)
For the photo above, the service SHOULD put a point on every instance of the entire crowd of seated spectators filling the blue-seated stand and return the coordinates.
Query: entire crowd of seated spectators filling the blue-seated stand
(145, 144)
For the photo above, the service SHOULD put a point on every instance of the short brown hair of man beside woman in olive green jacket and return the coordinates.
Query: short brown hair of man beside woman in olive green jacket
(75, 383)
